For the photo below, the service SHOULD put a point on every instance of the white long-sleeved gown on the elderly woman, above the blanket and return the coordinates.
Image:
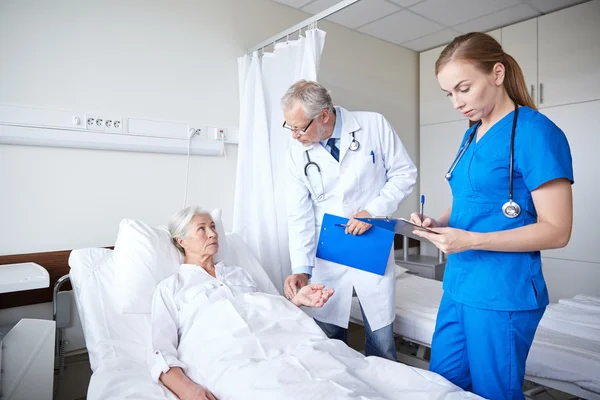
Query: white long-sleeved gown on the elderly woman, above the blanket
(179, 298)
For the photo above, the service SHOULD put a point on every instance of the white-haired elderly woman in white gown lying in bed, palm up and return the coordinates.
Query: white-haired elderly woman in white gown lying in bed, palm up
(181, 299)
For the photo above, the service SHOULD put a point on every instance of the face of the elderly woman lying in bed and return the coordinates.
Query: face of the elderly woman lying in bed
(202, 238)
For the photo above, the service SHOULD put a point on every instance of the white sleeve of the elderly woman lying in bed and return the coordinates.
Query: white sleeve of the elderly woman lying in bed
(165, 339)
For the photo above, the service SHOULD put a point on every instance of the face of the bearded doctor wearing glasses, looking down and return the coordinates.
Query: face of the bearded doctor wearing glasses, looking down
(297, 120)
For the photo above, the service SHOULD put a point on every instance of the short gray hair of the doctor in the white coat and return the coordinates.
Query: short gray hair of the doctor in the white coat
(313, 96)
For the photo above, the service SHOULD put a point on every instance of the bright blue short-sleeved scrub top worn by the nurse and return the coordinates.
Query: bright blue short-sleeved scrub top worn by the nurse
(503, 281)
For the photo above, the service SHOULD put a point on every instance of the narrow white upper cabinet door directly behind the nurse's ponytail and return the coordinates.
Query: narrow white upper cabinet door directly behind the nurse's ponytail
(520, 41)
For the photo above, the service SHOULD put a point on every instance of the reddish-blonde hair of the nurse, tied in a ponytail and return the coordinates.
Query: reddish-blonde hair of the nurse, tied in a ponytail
(484, 52)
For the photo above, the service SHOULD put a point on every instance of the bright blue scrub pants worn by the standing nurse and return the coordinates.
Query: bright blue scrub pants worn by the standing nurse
(483, 351)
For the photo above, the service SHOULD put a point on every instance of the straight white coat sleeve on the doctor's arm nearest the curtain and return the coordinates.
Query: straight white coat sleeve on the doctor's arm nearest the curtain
(301, 218)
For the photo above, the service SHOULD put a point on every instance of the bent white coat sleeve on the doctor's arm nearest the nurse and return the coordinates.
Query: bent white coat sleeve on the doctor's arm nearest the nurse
(400, 171)
